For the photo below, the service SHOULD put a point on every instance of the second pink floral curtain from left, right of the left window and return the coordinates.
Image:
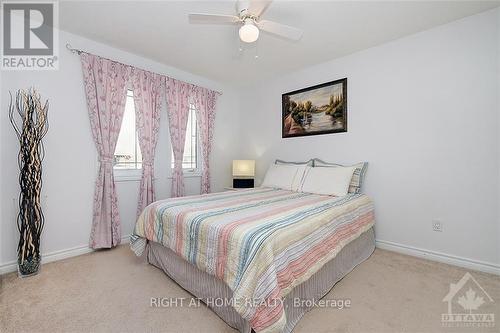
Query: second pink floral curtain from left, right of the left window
(146, 87)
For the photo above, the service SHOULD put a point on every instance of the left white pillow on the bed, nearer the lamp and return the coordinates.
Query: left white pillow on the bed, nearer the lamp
(287, 177)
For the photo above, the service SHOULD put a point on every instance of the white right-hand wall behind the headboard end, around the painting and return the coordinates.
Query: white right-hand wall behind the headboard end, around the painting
(424, 112)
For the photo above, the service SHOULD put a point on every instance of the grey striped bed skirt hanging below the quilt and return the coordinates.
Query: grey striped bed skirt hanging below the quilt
(205, 286)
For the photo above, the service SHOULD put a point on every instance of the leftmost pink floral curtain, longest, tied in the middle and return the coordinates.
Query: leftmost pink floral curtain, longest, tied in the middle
(106, 91)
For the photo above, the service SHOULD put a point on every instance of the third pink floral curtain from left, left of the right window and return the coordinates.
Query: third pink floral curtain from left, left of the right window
(177, 93)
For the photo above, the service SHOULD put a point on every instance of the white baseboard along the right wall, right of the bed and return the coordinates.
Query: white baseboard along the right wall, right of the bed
(439, 257)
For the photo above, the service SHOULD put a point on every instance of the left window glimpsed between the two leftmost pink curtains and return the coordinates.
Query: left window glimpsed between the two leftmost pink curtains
(128, 153)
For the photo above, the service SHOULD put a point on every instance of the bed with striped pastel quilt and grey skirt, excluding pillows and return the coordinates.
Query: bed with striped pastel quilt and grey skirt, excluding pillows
(259, 249)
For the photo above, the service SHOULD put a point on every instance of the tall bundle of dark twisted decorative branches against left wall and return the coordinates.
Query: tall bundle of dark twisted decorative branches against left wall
(28, 116)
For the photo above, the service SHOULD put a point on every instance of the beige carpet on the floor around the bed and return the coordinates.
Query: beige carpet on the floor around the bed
(110, 291)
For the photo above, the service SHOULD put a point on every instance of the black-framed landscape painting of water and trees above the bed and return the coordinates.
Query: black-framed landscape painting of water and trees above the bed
(320, 109)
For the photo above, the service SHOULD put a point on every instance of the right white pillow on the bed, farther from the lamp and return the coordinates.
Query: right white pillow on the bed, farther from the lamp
(328, 181)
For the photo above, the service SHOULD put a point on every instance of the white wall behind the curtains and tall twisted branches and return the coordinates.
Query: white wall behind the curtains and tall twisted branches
(71, 164)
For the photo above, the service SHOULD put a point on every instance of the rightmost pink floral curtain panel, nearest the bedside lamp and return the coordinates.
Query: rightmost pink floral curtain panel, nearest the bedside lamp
(205, 101)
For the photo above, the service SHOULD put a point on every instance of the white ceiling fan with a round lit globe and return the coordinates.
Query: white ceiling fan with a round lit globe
(249, 15)
